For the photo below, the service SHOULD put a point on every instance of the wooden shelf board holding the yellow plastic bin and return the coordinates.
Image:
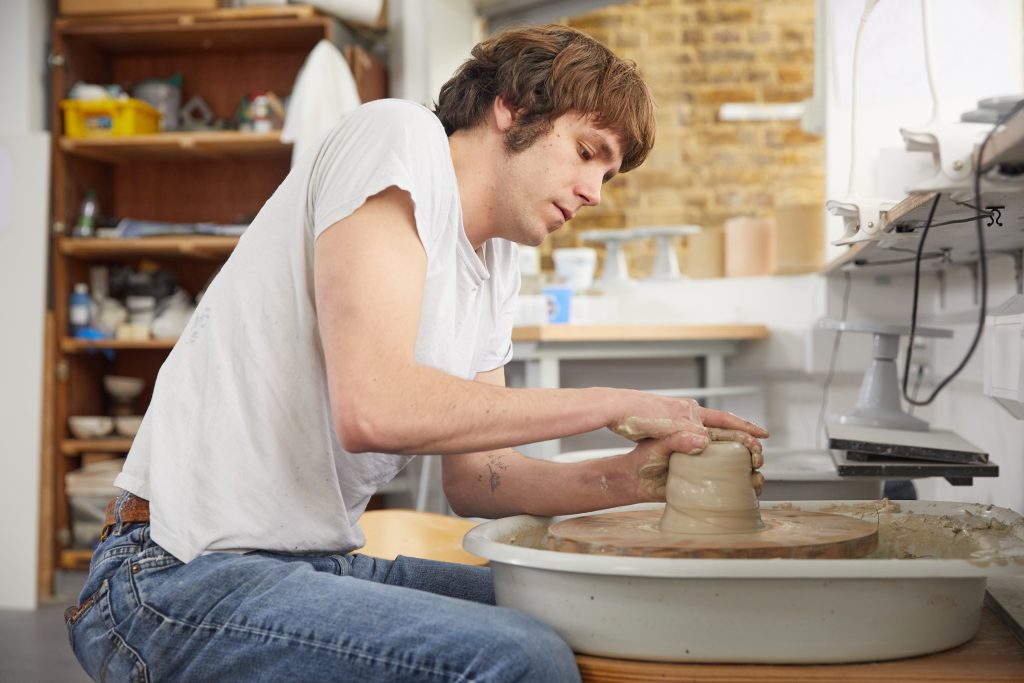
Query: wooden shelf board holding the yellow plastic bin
(178, 146)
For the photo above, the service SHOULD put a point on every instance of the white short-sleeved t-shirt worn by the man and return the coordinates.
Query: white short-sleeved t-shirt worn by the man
(237, 451)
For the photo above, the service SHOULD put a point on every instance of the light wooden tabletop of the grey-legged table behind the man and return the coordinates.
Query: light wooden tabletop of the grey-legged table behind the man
(637, 333)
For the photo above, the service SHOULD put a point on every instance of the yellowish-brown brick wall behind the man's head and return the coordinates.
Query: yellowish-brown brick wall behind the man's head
(696, 56)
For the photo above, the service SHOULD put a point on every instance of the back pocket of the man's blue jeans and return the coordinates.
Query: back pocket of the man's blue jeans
(99, 648)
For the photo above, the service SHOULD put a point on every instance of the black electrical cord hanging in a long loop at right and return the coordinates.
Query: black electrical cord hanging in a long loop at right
(983, 275)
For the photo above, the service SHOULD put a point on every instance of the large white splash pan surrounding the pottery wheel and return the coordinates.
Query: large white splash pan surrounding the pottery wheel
(921, 592)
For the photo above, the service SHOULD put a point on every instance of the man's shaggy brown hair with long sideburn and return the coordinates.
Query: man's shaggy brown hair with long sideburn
(542, 73)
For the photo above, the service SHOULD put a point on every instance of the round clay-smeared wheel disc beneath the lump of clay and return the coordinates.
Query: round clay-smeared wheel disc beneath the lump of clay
(788, 534)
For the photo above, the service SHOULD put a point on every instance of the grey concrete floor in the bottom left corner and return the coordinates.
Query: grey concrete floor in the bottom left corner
(34, 645)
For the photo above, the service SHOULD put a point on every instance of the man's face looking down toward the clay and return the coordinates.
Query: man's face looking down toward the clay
(546, 184)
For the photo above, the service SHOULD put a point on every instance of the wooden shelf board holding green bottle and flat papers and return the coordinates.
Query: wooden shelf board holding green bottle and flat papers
(194, 246)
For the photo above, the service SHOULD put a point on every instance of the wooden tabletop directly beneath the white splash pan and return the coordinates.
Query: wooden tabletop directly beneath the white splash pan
(994, 655)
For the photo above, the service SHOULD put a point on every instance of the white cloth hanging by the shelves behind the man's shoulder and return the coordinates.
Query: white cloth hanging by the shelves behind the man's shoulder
(325, 90)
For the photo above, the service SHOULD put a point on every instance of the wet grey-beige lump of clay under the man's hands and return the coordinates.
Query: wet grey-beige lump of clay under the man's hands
(712, 493)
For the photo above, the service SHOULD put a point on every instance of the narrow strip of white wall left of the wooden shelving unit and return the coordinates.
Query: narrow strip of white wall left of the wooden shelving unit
(24, 207)
